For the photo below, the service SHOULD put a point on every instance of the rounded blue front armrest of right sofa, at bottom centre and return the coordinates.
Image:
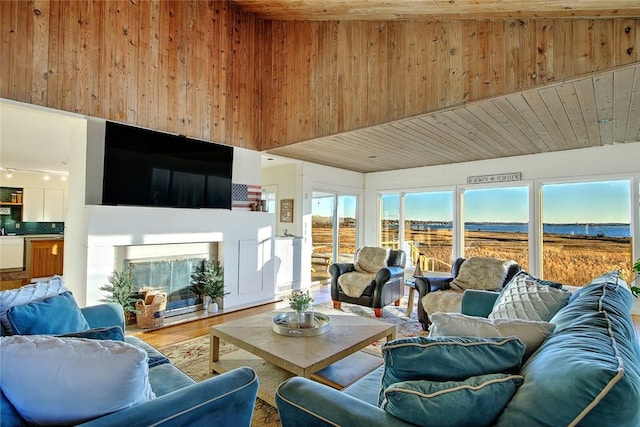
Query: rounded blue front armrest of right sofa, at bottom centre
(303, 402)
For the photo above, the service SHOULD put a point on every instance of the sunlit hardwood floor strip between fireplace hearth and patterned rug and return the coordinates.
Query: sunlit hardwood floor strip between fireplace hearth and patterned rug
(184, 331)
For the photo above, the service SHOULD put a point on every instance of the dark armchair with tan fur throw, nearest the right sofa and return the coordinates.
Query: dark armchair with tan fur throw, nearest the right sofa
(445, 293)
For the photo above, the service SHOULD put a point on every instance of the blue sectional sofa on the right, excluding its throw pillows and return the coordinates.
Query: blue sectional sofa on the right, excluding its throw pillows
(587, 372)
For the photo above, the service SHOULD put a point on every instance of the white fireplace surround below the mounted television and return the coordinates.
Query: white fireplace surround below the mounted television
(244, 243)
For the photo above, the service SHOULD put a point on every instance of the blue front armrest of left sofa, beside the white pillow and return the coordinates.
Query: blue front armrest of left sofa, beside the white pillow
(226, 399)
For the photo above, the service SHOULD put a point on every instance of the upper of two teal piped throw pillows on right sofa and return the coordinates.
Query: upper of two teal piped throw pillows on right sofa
(448, 358)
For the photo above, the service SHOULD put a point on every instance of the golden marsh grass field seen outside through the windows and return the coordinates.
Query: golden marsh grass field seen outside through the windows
(571, 260)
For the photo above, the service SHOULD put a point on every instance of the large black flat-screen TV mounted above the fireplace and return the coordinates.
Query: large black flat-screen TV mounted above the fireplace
(149, 168)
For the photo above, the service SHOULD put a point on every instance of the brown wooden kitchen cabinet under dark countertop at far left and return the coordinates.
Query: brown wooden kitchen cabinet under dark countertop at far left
(45, 257)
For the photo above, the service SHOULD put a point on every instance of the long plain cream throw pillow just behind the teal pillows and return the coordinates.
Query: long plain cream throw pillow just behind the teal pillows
(531, 332)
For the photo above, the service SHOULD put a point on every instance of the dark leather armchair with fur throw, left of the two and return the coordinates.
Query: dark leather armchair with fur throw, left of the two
(374, 279)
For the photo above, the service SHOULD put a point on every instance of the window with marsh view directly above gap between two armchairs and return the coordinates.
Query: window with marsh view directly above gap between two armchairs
(428, 219)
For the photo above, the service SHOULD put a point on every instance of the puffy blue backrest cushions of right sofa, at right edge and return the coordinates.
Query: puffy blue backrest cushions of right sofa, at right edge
(588, 371)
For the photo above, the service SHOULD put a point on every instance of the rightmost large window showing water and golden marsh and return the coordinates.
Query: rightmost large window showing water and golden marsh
(586, 230)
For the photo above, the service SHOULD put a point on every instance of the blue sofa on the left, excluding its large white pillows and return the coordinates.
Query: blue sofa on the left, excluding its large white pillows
(224, 400)
